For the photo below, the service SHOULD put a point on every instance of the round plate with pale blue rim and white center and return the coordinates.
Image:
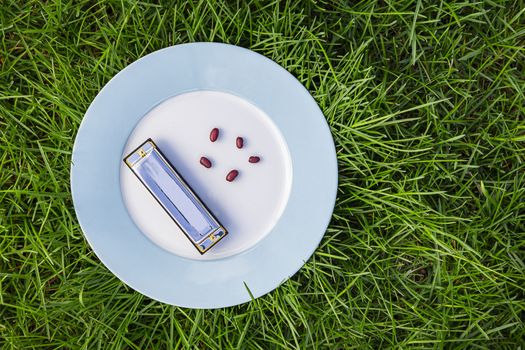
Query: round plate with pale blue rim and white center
(276, 210)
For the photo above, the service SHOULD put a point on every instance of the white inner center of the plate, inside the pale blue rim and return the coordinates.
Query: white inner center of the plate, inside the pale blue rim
(249, 206)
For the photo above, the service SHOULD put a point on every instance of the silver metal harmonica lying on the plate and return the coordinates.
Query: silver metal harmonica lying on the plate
(175, 196)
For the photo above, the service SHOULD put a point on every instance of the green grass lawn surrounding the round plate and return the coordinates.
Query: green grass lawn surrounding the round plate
(426, 104)
